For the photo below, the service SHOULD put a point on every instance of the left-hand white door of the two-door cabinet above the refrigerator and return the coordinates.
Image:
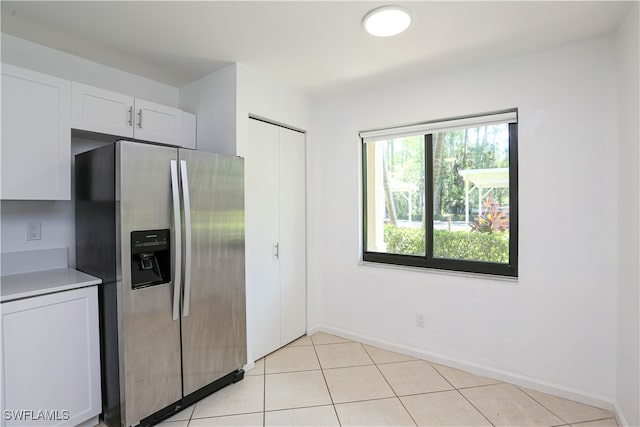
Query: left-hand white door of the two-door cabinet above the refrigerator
(101, 111)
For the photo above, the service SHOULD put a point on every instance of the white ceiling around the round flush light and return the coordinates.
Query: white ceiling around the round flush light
(318, 47)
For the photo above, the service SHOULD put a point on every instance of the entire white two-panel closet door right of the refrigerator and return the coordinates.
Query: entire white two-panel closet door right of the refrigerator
(275, 236)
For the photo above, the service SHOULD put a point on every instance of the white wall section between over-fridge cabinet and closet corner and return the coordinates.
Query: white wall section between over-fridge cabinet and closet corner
(213, 99)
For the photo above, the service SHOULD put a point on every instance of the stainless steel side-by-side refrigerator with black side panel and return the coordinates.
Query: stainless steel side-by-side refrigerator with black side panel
(164, 229)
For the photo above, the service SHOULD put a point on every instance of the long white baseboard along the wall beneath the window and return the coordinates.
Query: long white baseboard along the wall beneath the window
(485, 371)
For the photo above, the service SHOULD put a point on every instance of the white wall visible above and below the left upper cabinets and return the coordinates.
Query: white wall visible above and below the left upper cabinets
(57, 217)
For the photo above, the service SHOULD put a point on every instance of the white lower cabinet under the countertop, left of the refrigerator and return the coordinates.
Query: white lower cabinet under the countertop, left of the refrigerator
(51, 359)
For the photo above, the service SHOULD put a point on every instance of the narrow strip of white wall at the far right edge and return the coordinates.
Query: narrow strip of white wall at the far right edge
(628, 375)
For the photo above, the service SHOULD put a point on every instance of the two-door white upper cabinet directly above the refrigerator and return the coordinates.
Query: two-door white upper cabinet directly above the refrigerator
(112, 113)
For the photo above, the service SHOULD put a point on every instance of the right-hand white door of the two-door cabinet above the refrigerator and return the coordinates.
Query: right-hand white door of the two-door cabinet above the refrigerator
(157, 123)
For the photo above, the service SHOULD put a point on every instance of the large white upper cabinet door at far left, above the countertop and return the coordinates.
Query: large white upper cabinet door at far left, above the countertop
(36, 136)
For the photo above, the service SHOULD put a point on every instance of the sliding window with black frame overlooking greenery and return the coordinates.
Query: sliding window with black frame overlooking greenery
(443, 194)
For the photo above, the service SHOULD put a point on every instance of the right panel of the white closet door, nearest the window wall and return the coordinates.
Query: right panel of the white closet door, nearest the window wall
(292, 235)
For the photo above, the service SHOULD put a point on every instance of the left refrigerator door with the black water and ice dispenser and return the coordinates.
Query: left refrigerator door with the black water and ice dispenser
(150, 337)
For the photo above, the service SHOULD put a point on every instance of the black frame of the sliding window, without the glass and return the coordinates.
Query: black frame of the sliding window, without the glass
(427, 261)
